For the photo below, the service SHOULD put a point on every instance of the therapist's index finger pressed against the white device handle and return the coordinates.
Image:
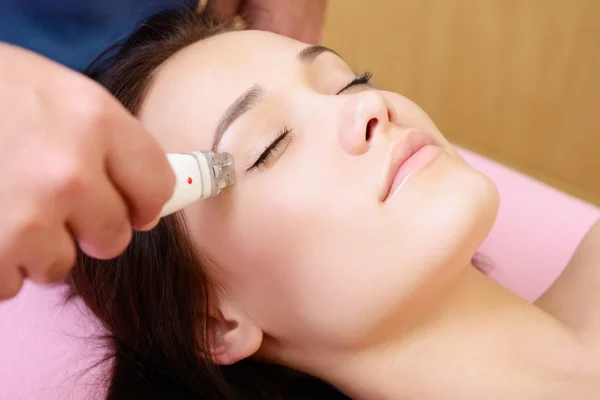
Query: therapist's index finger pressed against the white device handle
(139, 169)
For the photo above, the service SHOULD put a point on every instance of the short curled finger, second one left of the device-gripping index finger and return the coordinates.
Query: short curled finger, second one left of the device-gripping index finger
(54, 257)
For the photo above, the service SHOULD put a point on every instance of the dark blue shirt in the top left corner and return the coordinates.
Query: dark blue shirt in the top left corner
(73, 32)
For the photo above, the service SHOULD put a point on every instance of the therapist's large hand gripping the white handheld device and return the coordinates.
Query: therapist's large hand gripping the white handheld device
(75, 167)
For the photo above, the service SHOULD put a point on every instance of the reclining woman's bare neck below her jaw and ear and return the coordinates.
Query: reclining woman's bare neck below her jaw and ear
(476, 340)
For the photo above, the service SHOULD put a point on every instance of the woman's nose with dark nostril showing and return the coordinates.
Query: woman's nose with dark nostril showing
(364, 116)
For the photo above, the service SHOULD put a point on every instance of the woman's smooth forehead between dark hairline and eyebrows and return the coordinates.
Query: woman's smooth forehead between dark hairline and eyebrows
(190, 92)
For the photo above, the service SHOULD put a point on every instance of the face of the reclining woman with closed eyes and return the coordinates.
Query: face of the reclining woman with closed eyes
(308, 243)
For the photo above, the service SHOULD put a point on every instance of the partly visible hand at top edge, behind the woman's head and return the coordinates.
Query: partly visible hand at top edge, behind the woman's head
(299, 19)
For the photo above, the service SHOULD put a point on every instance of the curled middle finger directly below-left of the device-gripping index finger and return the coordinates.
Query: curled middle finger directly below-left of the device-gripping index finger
(100, 221)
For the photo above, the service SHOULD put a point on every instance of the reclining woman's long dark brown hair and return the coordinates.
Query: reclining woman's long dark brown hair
(154, 299)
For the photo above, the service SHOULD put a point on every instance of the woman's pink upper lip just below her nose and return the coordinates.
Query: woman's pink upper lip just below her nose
(400, 151)
